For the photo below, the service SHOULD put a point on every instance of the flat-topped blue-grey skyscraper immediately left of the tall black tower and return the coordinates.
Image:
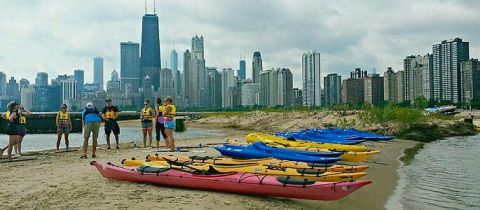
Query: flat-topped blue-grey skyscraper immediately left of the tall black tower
(130, 65)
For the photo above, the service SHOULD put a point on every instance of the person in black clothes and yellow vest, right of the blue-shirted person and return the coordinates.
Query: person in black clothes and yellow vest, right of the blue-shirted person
(110, 115)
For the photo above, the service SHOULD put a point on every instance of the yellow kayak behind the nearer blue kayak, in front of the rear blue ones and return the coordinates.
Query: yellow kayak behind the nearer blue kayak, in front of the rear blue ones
(276, 140)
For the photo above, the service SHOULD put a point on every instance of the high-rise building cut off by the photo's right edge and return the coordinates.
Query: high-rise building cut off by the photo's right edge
(470, 71)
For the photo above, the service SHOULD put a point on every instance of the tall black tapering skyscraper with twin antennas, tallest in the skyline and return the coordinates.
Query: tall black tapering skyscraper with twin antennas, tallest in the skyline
(150, 49)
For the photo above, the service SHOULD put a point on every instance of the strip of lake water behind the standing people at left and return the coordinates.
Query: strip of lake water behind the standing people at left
(39, 142)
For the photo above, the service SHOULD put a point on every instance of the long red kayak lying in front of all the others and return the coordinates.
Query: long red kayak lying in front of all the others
(240, 183)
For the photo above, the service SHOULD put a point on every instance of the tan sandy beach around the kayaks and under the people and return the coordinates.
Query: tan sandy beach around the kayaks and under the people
(63, 181)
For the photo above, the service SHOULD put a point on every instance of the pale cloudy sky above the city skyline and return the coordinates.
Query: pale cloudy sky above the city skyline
(60, 36)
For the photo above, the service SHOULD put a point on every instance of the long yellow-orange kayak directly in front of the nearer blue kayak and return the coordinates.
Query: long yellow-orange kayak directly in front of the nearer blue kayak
(266, 162)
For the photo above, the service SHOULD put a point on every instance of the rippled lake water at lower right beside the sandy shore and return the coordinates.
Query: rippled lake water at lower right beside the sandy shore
(445, 174)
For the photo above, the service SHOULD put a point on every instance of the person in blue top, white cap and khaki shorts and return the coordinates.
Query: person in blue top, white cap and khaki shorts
(91, 124)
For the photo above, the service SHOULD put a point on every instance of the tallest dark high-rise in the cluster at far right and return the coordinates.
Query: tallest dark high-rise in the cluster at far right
(447, 57)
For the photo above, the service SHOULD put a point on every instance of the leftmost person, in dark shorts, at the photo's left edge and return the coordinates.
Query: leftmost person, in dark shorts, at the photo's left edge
(12, 127)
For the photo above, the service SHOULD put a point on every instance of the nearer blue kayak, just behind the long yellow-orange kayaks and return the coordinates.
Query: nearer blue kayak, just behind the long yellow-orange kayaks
(251, 152)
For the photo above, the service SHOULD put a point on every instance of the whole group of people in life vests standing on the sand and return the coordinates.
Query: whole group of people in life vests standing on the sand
(163, 115)
